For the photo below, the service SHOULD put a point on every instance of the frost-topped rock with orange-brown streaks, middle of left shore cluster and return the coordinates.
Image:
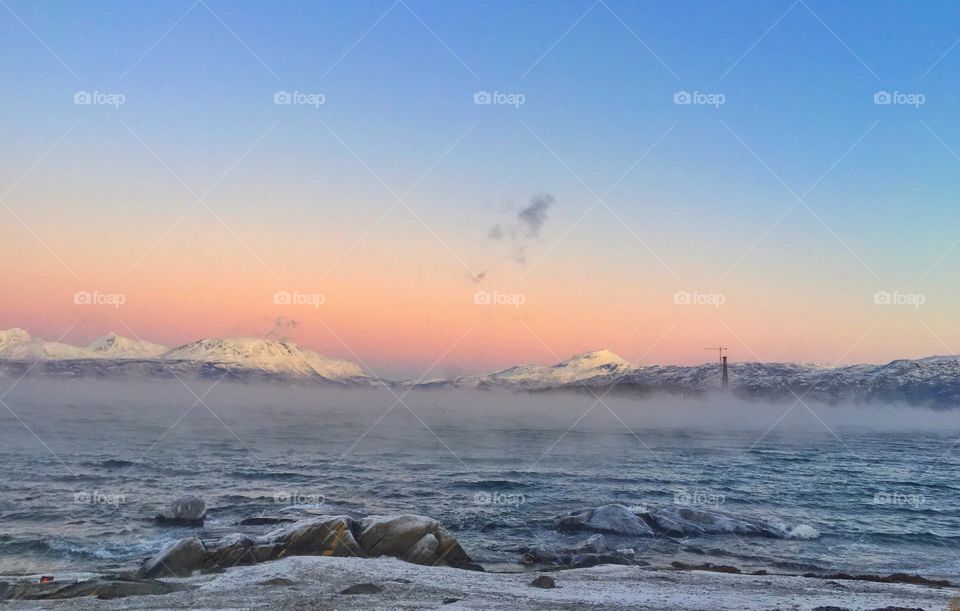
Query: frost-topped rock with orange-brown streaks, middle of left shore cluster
(326, 536)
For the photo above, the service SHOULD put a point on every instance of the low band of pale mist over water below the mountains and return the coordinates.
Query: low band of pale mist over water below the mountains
(481, 410)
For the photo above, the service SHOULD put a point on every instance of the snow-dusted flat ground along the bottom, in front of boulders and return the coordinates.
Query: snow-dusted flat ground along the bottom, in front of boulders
(317, 582)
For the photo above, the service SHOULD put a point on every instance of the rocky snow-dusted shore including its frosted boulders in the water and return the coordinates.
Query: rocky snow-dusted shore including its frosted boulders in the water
(410, 561)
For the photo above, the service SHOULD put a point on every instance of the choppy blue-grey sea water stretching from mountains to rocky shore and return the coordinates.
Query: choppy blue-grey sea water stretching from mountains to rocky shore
(78, 492)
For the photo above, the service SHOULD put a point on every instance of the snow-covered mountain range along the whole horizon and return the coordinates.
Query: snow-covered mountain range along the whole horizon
(932, 381)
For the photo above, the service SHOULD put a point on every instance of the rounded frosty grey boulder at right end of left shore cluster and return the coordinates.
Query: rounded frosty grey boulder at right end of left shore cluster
(416, 539)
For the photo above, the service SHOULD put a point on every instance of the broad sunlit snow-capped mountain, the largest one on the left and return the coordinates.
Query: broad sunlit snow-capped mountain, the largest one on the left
(266, 355)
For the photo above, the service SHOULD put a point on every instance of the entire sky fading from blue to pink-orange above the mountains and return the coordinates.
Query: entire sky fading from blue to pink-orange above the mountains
(456, 187)
